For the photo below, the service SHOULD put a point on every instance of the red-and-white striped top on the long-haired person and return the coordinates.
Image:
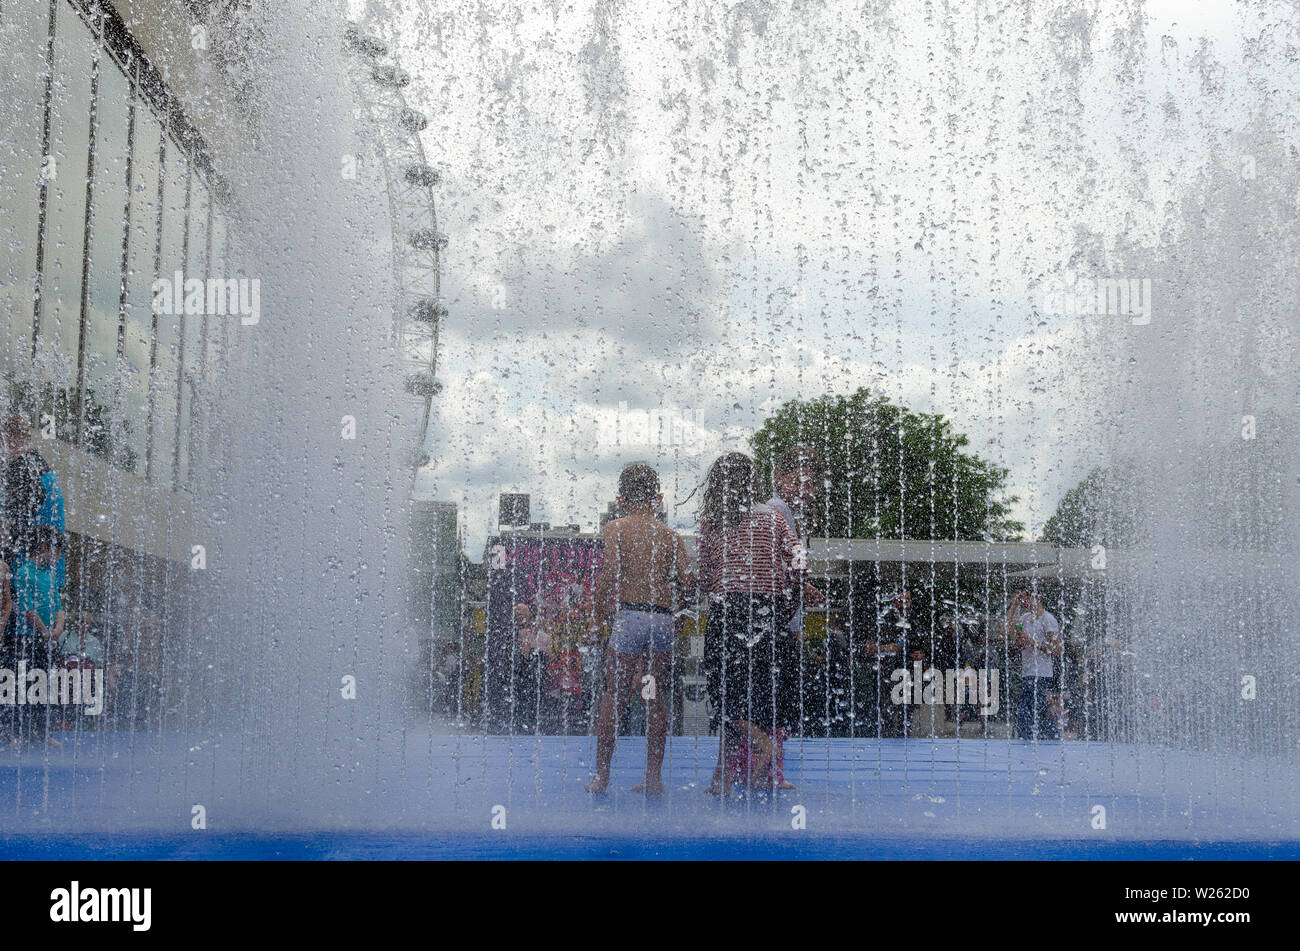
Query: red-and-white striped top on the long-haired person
(759, 555)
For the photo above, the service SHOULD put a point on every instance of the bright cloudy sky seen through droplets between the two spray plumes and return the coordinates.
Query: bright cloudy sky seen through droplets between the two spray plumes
(710, 211)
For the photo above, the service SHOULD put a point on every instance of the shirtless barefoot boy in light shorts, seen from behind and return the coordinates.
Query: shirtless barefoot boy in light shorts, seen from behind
(647, 575)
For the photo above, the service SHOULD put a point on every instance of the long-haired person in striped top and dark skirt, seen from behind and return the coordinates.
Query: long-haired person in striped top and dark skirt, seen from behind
(752, 566)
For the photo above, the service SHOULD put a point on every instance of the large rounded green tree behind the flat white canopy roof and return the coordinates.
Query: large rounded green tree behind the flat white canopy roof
(890, 472)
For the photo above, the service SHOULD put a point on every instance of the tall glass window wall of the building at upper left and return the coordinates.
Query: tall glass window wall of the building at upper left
(106, 189)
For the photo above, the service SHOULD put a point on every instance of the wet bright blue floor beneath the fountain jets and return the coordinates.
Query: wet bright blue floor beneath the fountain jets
(457, 797)
